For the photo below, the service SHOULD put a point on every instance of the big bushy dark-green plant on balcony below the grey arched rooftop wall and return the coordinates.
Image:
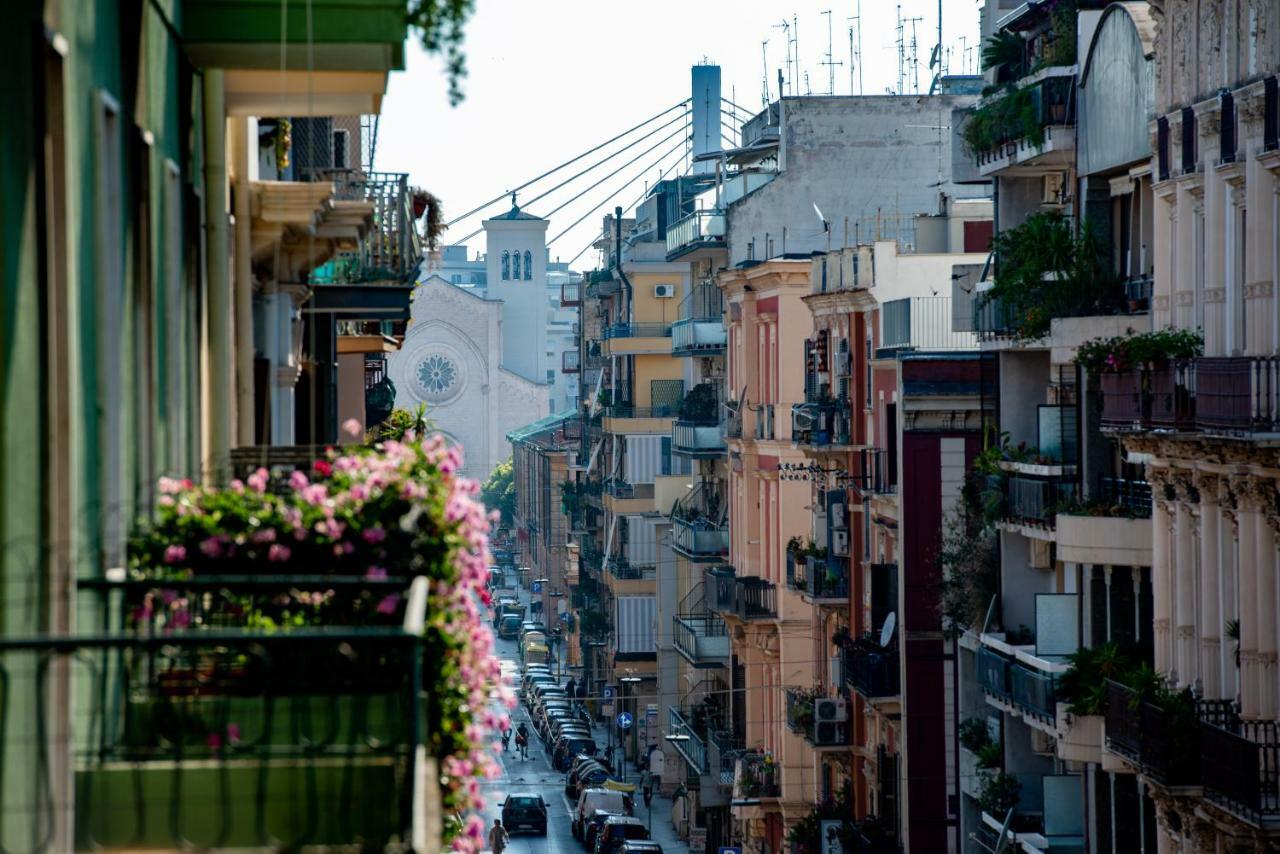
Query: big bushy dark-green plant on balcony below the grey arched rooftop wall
(1049, 270)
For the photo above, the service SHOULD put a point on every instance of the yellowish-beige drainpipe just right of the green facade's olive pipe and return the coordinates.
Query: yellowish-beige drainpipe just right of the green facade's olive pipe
(243, 131)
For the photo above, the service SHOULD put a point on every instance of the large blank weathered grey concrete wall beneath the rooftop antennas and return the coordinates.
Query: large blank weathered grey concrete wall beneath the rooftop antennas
(856, 158)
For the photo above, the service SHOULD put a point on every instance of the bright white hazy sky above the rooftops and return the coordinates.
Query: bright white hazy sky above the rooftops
(552, 79)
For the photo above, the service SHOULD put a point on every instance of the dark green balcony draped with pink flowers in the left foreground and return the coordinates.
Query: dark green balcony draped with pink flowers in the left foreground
(292, 633)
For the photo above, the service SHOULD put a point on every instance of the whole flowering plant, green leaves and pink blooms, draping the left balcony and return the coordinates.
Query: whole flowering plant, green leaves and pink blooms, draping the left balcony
(365, 517)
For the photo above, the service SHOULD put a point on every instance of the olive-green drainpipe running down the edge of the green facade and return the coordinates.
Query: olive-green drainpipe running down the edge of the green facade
(220, 378)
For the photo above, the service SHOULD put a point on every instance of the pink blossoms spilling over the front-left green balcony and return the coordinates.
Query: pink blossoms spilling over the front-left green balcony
(341, 506)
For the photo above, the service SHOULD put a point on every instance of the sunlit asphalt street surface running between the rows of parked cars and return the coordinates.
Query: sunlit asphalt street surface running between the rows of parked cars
(537, 777)
